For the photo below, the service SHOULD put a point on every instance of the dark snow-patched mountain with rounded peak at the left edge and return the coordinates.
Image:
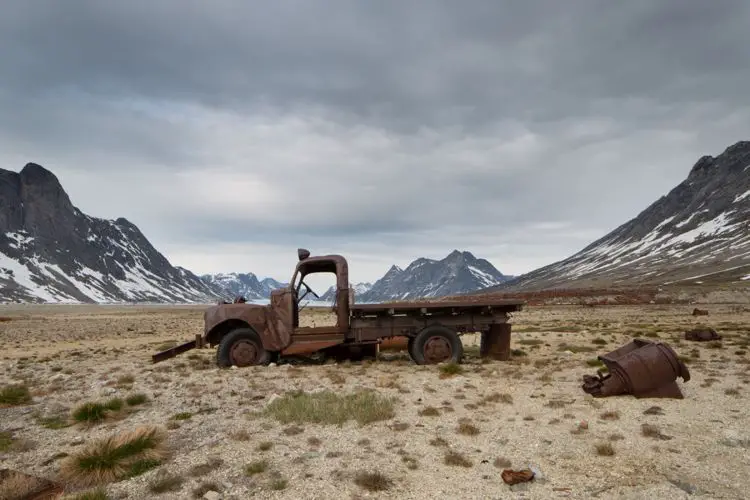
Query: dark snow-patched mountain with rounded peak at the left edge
(52, 252)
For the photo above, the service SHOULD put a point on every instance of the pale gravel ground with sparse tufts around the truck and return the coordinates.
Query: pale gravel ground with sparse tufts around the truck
(69, 355)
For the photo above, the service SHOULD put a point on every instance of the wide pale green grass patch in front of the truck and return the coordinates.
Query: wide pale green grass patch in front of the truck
(330, 408)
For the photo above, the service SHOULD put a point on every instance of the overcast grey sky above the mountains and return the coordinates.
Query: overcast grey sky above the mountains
(233, 132)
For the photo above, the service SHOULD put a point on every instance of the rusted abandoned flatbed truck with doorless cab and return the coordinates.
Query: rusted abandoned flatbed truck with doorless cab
(250, 334)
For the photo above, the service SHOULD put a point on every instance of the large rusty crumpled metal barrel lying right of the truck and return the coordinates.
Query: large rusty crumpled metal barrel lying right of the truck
(641, 368)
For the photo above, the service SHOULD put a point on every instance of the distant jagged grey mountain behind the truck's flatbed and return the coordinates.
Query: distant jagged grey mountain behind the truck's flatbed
(458, 273)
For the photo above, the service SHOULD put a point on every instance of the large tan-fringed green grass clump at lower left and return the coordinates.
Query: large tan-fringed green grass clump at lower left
(117, 457)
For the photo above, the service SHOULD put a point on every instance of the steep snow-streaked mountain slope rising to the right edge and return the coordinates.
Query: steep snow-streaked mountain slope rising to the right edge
(699, 232)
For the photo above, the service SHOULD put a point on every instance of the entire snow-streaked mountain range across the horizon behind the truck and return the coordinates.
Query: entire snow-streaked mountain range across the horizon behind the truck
(52, 252)
